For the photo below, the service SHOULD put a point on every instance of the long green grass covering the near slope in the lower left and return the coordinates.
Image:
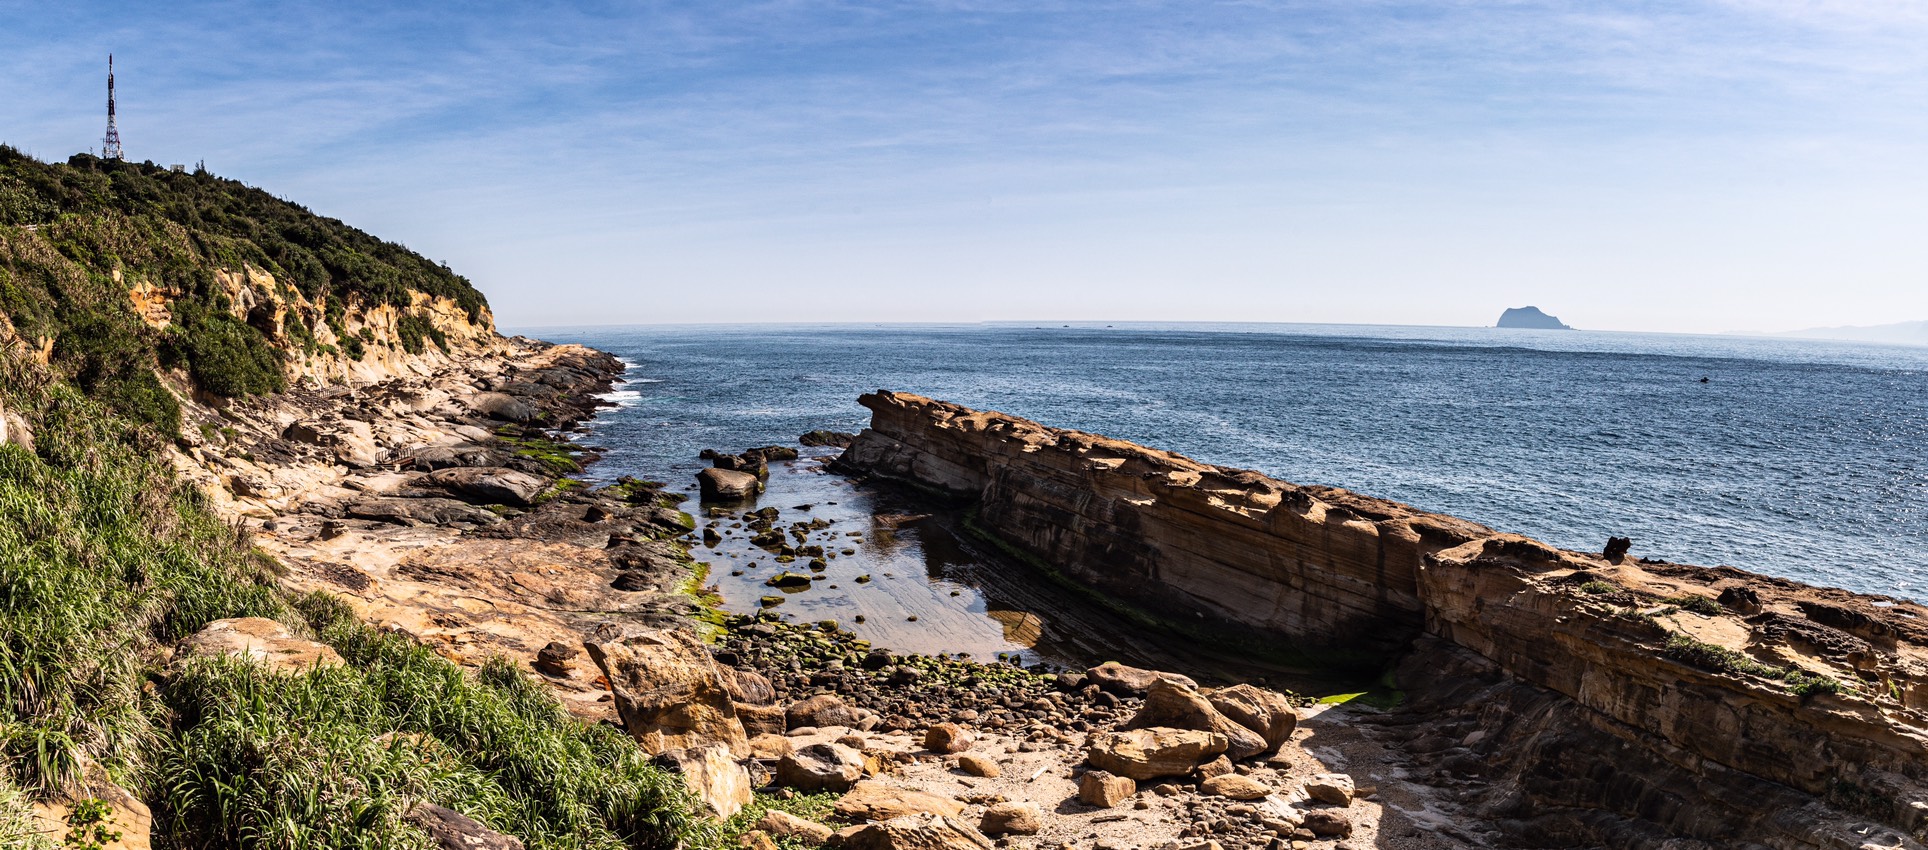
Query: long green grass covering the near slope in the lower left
(107, 560)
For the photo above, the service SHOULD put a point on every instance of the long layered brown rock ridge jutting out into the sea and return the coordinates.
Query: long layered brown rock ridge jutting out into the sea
(1719, 689)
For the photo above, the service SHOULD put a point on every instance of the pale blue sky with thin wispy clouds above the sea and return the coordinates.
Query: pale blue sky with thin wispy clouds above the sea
(1667, 167)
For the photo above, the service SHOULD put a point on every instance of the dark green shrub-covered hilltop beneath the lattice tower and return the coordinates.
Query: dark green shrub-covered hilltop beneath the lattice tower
(76, 236)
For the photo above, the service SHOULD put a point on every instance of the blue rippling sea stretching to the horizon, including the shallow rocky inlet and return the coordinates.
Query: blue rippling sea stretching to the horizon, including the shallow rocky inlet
(1792, 458)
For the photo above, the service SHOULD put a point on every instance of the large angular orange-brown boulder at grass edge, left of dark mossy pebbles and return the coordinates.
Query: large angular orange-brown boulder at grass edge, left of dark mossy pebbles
(668, 691)
